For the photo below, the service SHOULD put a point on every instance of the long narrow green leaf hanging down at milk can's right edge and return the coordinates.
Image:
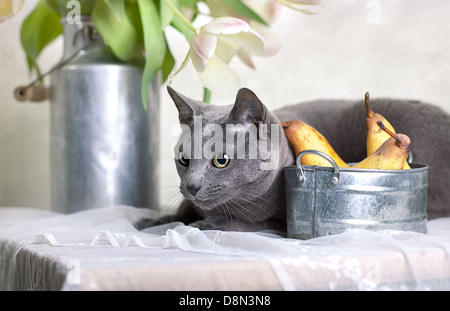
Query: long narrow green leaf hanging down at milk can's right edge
(154, 43)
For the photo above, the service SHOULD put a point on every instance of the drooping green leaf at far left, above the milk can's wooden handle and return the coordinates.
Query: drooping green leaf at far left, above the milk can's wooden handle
(39, 29)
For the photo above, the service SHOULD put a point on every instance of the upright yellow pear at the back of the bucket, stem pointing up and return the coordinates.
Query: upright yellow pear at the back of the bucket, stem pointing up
(376, 136)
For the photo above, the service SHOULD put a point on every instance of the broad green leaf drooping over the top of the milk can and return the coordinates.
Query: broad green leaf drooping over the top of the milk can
(120, 36)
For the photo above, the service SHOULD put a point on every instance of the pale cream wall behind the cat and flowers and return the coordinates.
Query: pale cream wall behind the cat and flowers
(396, 48)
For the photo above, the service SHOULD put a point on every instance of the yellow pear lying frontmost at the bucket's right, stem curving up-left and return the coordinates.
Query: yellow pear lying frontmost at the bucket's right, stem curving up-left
(391, 155)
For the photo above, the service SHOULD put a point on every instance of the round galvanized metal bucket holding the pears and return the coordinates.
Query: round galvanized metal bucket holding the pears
(330, 200)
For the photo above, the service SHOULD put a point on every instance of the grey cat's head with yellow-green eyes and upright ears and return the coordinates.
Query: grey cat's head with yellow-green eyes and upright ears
(226, 155)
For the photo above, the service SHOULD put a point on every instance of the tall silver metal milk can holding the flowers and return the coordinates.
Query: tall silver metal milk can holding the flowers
(104, 145)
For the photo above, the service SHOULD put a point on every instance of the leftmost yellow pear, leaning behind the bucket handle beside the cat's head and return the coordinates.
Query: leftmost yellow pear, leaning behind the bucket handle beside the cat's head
(303, 136)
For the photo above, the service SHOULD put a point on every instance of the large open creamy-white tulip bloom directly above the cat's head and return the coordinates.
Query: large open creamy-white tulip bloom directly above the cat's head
(213, 47)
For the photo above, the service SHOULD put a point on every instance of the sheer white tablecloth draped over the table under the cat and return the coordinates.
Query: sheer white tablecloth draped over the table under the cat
(101, 250)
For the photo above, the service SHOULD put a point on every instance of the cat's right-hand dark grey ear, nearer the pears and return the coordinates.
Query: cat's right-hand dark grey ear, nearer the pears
(247, 108)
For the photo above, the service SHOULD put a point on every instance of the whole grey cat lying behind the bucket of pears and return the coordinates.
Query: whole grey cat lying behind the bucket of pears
(227, 192)
